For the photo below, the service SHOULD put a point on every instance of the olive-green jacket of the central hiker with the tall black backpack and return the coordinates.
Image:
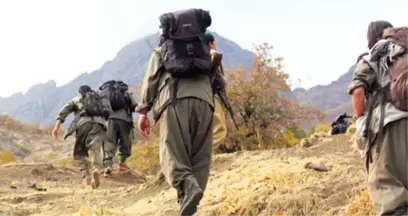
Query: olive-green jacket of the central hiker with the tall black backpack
(156, 89)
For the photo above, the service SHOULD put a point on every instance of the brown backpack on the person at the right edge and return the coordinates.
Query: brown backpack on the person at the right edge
(398, 70)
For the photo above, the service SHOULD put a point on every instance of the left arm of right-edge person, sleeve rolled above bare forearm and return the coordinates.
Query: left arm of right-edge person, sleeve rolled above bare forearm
(362, 81)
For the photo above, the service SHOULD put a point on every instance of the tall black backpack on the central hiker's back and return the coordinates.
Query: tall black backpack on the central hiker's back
(184, 49)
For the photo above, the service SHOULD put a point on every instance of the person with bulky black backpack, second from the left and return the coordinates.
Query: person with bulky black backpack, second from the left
(120, 124)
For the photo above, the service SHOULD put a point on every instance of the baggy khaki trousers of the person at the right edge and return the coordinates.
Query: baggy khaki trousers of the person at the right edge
(388, 173)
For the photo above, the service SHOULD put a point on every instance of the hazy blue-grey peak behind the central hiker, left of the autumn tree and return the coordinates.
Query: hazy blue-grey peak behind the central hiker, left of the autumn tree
(41, 103)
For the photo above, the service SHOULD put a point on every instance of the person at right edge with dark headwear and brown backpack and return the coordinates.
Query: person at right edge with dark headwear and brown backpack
(378, 88)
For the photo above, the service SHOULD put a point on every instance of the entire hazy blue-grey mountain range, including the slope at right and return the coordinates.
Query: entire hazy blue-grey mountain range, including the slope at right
(41, 103)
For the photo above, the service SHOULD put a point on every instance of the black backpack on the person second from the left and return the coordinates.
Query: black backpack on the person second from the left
(115, 92)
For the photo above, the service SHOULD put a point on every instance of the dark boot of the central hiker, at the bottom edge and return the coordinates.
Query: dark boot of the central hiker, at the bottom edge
(192, 198)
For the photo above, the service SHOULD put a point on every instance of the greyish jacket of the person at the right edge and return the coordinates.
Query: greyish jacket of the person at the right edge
(371, 75)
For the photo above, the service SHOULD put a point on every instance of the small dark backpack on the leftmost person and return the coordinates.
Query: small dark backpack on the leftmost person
(92, 104)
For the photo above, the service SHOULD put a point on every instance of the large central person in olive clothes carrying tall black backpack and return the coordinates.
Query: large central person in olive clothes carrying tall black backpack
(177, 88)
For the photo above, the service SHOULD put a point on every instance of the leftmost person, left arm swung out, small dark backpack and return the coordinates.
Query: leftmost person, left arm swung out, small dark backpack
(91, 112)
